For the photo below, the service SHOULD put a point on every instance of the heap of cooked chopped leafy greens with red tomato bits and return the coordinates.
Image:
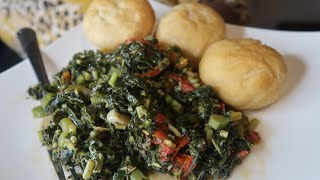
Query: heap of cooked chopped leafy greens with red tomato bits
(139, 109)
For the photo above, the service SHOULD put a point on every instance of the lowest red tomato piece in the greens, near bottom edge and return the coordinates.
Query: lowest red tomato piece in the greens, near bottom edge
(184, 162)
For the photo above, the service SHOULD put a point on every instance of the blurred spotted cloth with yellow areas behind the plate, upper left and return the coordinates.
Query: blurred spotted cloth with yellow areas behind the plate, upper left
(49, 18)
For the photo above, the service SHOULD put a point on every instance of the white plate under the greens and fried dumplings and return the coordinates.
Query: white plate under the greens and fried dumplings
(289, 128)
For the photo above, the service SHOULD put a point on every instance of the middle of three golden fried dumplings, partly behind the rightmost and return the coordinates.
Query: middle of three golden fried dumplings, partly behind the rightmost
(193, 27)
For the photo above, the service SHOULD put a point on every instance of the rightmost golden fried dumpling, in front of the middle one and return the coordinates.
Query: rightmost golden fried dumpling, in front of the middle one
(244, 73)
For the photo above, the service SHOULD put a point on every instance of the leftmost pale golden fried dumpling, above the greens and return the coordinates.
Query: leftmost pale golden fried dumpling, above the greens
(108, 23)
